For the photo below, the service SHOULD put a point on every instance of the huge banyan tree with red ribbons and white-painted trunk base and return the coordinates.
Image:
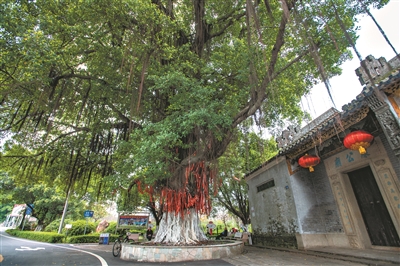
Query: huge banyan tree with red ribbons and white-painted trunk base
(109, 95)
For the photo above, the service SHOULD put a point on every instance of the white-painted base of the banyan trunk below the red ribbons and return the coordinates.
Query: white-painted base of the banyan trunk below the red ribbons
(180, 229)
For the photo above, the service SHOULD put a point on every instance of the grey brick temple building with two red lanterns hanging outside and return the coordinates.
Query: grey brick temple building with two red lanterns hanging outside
(336, 181)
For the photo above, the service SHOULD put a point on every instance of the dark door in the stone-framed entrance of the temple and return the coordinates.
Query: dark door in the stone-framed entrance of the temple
(376, 217)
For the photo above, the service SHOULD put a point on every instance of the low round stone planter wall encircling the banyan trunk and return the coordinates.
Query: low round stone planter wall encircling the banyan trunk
(180, 253)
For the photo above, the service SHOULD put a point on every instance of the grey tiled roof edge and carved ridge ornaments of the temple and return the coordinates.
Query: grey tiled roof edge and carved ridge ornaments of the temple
(293, 141)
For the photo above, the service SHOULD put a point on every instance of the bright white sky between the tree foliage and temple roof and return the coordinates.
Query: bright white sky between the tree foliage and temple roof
(346, 87)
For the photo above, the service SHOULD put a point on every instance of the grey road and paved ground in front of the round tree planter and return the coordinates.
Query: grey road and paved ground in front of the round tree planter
(22, 252)
